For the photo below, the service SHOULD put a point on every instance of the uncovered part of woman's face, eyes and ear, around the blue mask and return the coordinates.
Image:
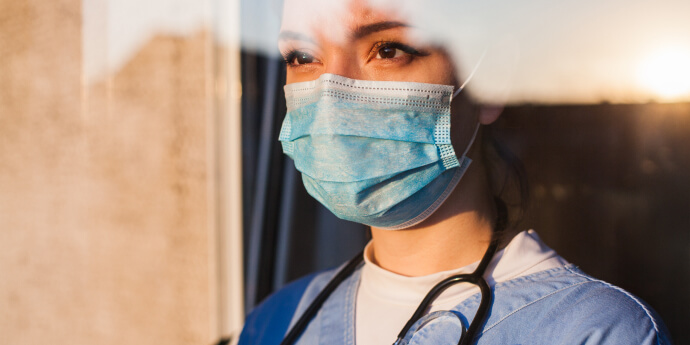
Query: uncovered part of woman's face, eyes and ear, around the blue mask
(357, 40)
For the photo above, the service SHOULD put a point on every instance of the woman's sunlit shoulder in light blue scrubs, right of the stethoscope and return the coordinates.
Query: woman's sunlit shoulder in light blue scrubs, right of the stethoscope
(566, 306)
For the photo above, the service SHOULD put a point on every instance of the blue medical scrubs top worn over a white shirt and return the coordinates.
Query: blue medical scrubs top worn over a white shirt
(556, 306)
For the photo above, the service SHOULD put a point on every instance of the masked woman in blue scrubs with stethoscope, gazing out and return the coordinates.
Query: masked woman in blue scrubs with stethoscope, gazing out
(382, 135)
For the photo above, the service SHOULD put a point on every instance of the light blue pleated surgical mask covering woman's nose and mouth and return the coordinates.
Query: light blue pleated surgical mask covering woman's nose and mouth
(373, 152)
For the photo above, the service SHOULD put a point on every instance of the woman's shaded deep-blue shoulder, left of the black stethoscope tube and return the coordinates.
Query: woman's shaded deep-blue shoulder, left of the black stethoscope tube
(268, 322)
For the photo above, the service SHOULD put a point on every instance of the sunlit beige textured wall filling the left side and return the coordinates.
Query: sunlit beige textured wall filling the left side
(105, 221)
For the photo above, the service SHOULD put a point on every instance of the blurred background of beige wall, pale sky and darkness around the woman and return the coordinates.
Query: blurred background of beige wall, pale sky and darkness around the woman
(145, 199)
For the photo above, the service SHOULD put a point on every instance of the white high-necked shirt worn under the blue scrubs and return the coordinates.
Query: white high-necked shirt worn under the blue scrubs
(386, 300)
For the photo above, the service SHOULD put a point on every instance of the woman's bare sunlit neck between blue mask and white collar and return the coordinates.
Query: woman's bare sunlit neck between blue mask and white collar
(456, 235)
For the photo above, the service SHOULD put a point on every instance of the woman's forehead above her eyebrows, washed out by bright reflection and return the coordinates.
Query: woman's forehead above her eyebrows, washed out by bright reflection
(335, 19)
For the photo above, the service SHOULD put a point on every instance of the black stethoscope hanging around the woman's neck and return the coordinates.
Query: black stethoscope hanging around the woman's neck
(476, 278)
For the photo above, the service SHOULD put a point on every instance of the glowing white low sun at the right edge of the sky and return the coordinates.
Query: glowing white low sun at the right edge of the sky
(666, 73)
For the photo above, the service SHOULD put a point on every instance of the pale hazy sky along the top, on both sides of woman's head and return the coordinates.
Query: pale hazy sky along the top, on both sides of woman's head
(535, 51)
